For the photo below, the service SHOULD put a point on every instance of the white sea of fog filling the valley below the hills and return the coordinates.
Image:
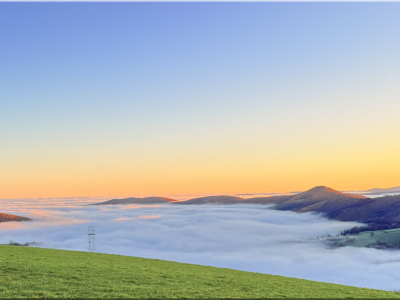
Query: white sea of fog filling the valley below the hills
(244, 237)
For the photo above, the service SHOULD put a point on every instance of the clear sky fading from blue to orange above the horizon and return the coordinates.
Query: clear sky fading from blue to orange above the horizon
(101, 99)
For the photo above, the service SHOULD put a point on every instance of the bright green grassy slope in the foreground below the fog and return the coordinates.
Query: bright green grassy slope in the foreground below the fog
(48, 273)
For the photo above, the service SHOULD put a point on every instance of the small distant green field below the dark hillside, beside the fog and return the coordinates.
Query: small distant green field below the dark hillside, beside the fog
(390, 237)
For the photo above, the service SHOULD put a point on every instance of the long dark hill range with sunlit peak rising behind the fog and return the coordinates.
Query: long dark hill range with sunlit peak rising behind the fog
(377, 213)
